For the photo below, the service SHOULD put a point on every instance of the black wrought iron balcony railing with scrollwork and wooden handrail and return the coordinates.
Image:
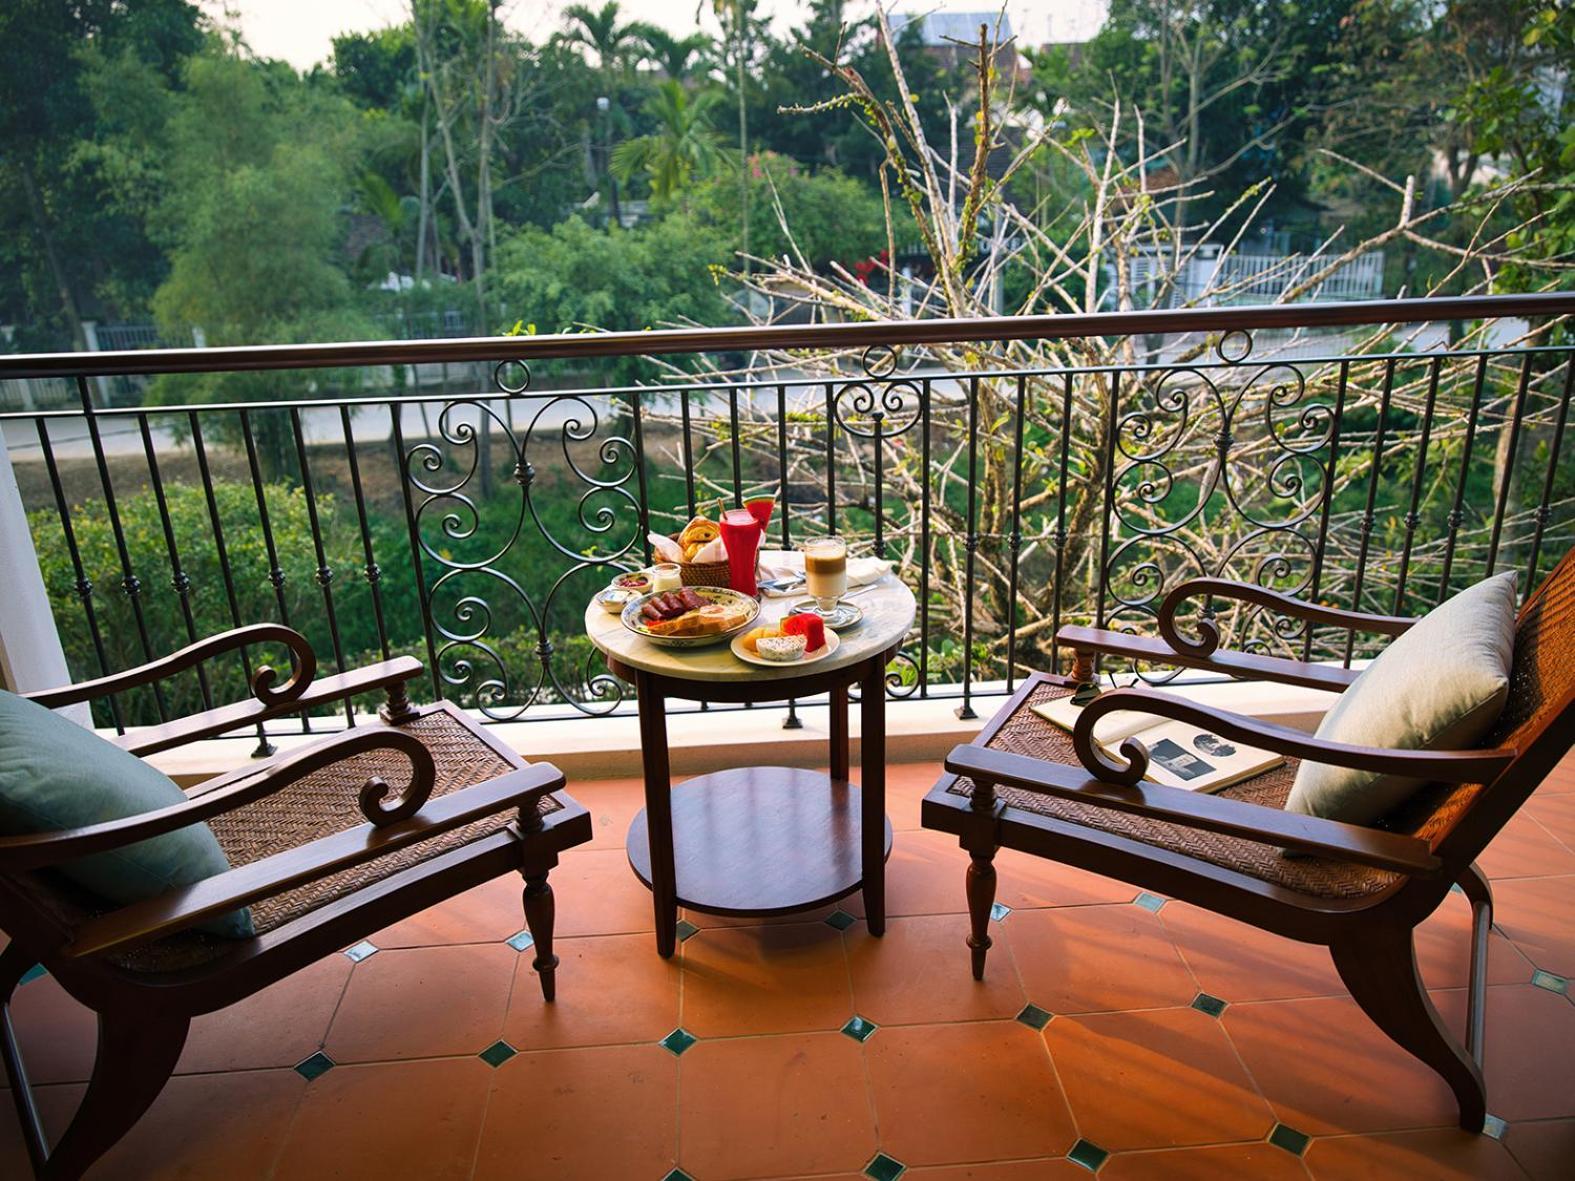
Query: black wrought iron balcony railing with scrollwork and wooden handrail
(1015, 495)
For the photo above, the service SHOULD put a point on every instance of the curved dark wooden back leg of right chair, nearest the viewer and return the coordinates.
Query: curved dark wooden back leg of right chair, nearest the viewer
(1380, 971)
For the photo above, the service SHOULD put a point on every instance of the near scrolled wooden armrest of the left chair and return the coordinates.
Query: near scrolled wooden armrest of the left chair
(45, 850)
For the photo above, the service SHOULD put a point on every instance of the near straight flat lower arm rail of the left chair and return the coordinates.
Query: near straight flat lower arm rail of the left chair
(179, 909)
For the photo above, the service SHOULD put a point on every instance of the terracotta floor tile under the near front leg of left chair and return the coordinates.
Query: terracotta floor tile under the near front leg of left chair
(610, 990)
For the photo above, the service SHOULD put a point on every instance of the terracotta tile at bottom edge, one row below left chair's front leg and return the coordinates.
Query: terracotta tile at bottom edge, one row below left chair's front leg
(607, 1113)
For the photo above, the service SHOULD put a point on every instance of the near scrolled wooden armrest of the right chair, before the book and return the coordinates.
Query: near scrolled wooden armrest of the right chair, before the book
(1442, 766)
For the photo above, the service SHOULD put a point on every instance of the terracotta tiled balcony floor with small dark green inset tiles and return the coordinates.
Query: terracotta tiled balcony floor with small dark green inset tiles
(1116, 1032)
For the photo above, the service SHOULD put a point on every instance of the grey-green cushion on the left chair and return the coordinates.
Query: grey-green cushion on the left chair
(59, 776)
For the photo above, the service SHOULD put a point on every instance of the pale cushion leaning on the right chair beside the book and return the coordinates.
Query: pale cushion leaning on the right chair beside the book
(1440, 686)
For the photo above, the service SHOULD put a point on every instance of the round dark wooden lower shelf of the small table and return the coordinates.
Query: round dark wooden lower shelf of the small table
(762, 842)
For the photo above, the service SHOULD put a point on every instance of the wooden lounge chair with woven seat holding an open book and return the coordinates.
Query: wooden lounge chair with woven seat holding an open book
(1358, 890)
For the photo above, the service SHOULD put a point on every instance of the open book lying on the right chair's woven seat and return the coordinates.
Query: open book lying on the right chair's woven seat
(1180, 755)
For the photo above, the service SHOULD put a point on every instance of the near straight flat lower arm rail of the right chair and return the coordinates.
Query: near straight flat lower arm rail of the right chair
(1196, 810)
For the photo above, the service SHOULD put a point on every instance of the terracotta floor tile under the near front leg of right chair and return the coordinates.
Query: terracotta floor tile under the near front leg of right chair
(919, 974)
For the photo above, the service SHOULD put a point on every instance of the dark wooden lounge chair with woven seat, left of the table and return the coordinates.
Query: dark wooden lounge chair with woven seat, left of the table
(327, 845)
